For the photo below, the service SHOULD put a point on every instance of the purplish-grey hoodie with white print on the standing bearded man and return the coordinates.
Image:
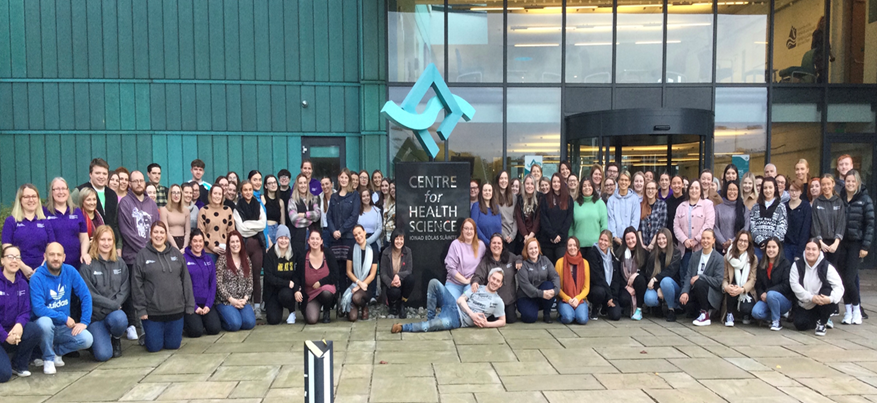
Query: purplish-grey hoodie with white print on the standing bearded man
(135, 218)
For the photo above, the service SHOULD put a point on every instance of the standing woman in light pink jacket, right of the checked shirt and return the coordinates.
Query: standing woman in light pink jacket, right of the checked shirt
(691, 220)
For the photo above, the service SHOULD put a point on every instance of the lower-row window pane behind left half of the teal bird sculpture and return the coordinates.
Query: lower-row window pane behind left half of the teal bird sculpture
(404, 145)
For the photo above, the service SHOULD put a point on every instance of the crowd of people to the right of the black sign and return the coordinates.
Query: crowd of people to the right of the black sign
(738, 248)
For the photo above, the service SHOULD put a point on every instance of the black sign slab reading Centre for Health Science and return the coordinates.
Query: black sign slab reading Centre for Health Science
(432, 200)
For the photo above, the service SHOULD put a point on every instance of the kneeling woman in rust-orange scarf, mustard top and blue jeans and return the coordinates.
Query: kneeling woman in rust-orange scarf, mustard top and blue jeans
(575, 282)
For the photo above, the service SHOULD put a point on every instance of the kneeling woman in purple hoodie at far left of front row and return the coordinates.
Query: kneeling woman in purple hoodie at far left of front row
(17, 332)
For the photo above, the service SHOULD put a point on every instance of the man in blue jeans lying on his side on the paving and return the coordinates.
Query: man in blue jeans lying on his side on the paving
(471, 309)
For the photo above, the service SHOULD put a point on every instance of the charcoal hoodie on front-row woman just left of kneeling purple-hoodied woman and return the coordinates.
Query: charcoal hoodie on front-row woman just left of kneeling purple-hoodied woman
(160, 283)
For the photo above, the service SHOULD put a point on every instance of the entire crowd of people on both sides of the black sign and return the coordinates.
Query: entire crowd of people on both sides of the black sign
(122, 256)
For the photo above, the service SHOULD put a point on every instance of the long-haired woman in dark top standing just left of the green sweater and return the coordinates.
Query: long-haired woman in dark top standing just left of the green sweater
(556, 218)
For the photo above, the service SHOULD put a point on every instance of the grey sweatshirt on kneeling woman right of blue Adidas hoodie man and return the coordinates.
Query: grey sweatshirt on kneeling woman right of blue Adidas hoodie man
(109, 285)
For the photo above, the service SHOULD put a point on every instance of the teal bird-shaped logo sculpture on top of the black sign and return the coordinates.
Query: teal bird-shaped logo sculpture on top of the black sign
(406, 115)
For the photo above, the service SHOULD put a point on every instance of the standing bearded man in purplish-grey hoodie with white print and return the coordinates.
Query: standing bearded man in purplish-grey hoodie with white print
(137, 212)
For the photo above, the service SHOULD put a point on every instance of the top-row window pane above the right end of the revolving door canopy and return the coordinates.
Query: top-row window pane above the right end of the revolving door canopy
(690, 42)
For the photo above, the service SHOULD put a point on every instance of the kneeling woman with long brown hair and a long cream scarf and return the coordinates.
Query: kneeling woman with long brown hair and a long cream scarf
(739, 280)
